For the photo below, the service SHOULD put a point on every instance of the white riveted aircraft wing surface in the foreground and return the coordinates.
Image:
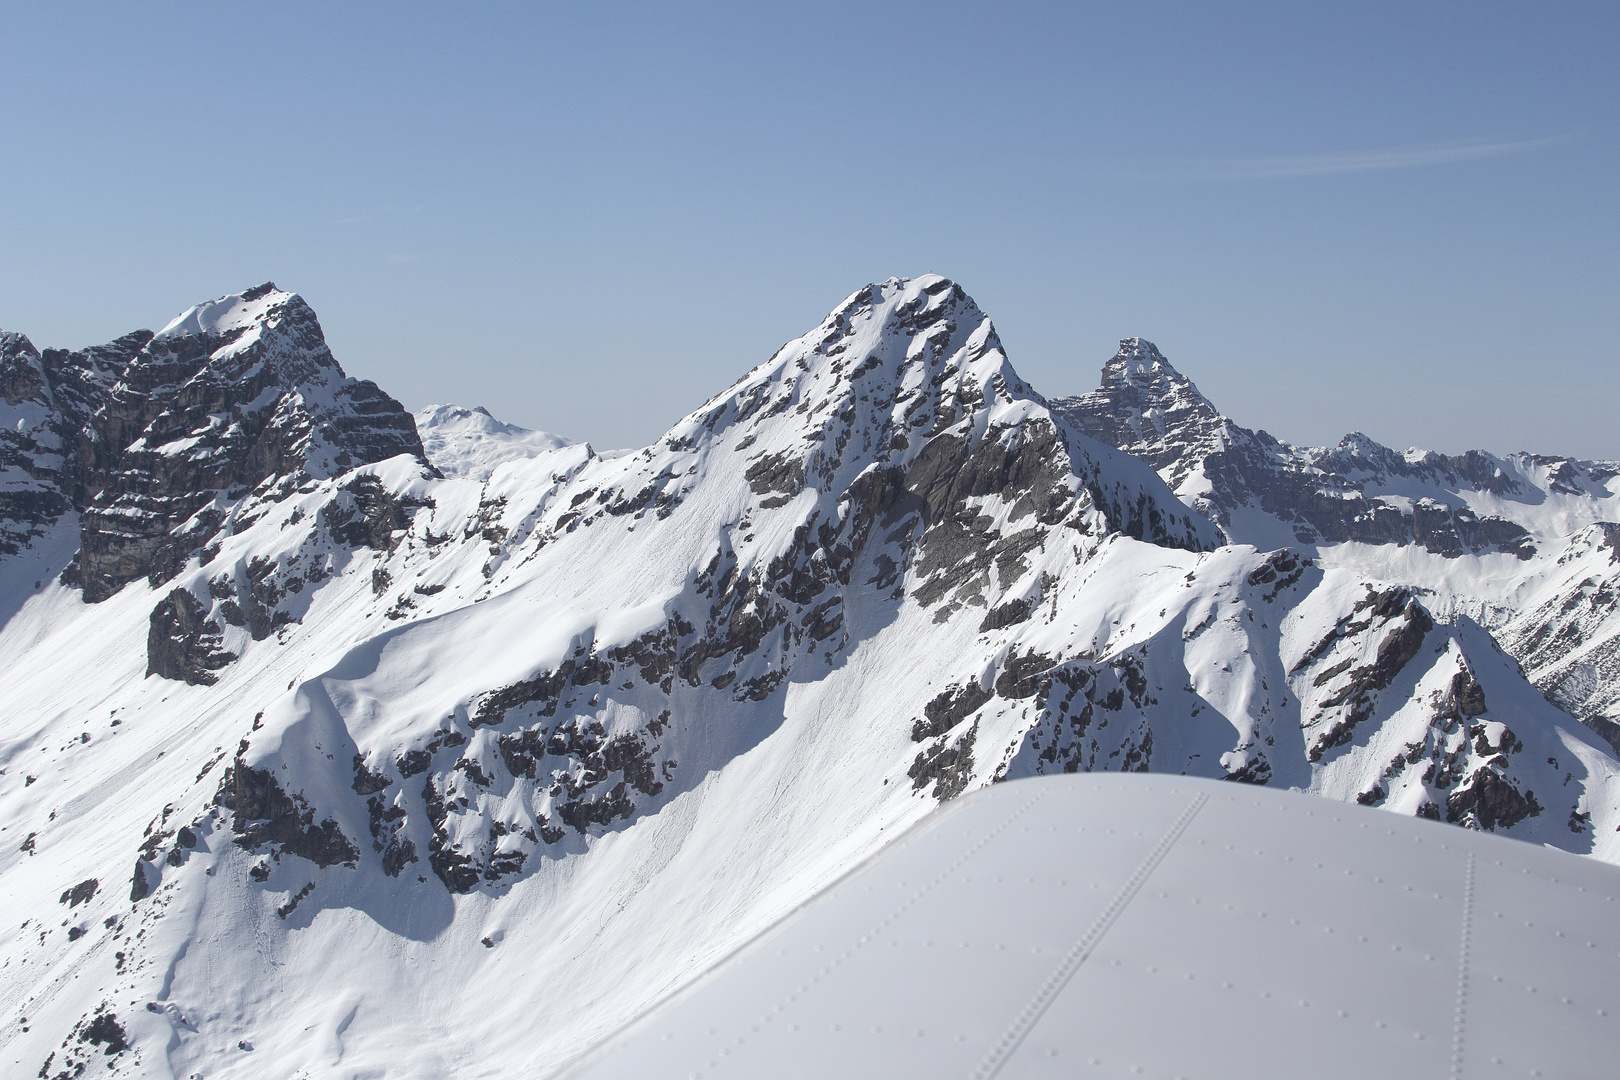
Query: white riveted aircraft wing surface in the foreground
(1166, 927)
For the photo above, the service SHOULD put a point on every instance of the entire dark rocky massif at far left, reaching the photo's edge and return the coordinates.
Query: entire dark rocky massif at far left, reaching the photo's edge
(155, 438)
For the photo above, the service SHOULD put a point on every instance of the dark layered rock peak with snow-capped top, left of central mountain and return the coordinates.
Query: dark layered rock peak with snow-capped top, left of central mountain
(236, 396)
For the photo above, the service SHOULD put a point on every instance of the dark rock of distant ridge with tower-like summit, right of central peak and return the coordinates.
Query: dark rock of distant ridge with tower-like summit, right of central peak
(1151, 410)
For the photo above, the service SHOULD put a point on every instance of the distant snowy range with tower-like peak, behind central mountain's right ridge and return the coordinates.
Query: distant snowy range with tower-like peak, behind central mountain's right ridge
(1520, 543)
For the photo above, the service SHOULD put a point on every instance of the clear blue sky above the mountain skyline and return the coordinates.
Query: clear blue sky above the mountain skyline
(1399, 219)
